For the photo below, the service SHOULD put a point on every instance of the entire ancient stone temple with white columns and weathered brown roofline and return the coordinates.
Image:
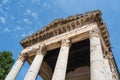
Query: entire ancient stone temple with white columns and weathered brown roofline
(74, 48)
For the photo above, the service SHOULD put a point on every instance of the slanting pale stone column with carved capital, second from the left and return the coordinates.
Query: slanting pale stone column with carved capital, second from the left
(35, 66)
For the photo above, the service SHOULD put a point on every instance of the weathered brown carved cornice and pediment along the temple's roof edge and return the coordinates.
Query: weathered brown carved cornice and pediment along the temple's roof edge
(62, 25)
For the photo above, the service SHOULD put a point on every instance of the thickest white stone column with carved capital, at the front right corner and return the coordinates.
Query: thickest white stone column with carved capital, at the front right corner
(97, 71)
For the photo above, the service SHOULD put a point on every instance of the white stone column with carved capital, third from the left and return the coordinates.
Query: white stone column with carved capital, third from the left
(61, 64)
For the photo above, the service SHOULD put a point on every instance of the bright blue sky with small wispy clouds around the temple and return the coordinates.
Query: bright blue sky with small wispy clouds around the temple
(19, 18)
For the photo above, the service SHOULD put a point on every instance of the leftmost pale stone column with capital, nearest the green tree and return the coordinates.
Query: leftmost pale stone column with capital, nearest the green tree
(16, 68)
